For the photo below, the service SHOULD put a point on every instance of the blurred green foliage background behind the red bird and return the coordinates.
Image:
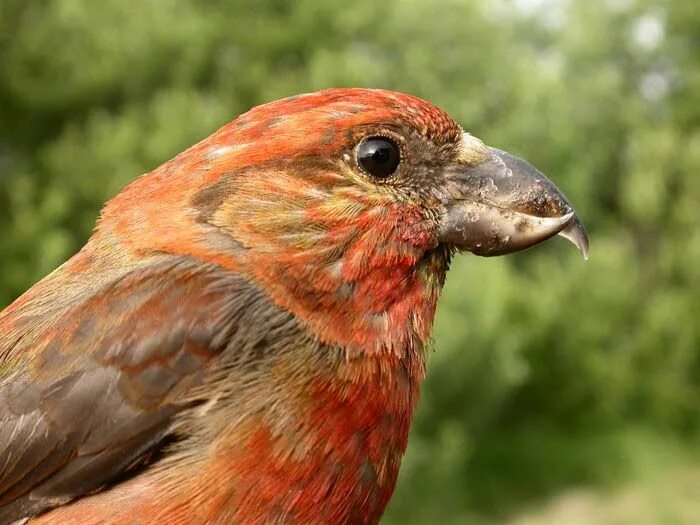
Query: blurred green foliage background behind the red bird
(558, 391)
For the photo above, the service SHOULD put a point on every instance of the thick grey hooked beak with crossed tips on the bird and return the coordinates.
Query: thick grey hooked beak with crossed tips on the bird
(503, 205)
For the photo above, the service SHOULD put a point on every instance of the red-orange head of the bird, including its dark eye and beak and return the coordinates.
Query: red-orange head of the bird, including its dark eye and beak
(345, 206)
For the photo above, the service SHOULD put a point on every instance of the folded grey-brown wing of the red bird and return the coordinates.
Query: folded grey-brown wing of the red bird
(95, 392)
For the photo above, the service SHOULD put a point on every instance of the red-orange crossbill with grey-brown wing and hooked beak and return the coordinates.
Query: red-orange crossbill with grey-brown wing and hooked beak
(242, 339)
